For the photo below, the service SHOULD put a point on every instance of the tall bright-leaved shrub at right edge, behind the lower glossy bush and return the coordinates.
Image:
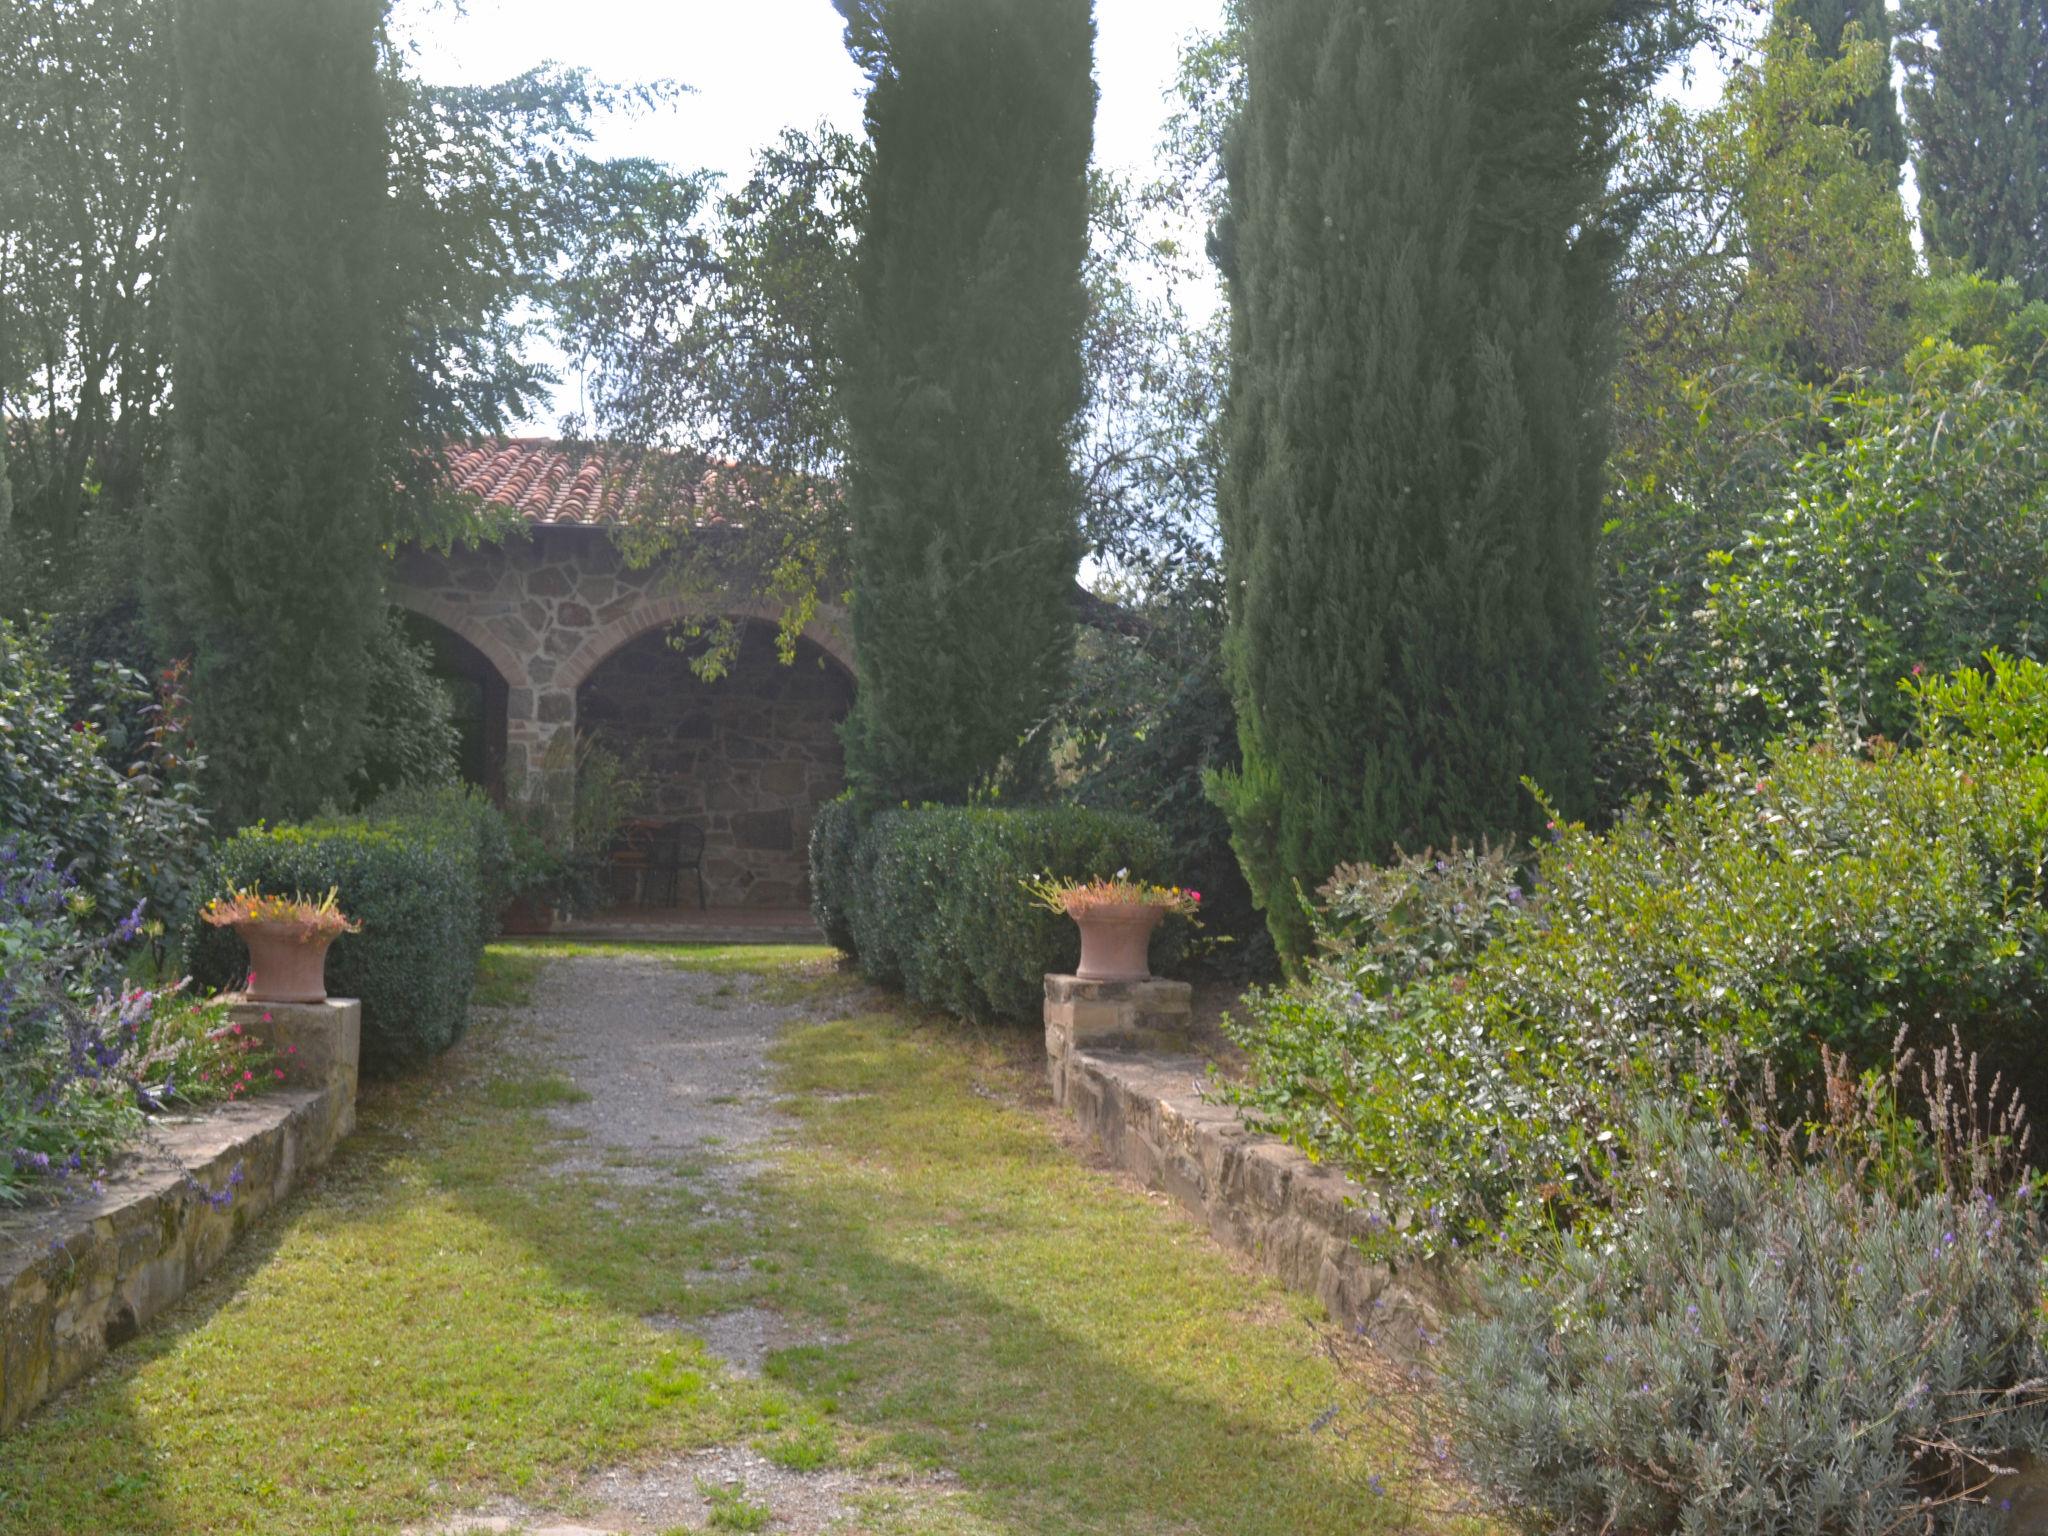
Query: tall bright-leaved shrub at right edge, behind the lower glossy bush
(1914, 534)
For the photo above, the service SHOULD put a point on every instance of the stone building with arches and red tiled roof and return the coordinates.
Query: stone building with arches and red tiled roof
(550, 632)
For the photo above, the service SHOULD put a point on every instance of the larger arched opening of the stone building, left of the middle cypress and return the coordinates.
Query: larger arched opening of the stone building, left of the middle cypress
(744, 761)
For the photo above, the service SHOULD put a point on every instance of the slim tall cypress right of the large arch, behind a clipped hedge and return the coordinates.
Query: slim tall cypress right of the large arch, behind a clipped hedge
(964, 382)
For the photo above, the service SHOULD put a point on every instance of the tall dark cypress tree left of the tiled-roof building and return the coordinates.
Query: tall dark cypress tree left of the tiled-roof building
(271, 531)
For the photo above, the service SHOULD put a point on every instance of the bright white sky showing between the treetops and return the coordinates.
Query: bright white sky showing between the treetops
(759, 67)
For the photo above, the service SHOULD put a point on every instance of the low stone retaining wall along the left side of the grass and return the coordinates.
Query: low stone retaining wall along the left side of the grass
(85, 1277)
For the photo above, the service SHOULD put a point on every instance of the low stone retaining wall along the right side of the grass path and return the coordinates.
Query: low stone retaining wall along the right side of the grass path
(1121, 1064)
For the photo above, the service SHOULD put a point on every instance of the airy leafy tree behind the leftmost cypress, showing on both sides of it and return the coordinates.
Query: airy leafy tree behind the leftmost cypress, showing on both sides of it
(490, 189)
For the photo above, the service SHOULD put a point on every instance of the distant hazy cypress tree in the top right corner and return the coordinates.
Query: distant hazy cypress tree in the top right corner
(1977, 93)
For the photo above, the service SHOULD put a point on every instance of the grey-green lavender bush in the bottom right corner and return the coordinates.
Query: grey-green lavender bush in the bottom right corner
(1766, 1349)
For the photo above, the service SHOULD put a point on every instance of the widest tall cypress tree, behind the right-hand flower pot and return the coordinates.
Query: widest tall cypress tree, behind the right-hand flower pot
(1420, 257)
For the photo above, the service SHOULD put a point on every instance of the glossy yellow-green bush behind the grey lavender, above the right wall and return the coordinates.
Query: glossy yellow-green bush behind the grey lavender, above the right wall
(1836, 898)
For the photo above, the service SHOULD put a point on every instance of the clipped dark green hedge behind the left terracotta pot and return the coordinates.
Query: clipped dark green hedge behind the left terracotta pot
(421, 886)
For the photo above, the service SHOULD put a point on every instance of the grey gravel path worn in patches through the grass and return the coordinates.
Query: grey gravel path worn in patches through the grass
(677, 1070)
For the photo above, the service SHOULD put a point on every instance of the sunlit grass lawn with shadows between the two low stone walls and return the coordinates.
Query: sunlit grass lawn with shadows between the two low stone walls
(441, 1320)
